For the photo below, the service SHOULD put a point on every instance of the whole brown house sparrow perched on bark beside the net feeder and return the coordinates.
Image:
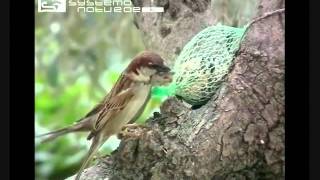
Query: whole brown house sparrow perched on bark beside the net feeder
(123, 104)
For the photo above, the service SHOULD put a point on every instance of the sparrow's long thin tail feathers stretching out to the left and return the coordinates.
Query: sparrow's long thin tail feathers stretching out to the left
(80, 126)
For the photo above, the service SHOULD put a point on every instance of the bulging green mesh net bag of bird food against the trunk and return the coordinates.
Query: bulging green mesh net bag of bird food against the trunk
(204, 62)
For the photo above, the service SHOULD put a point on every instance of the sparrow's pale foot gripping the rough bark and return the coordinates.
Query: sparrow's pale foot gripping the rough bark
(132, 131)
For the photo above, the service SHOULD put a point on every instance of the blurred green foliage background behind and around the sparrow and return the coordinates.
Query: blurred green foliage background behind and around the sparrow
(78, 57)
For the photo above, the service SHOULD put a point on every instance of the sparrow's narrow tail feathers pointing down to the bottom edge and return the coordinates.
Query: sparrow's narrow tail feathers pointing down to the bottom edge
(96, 143)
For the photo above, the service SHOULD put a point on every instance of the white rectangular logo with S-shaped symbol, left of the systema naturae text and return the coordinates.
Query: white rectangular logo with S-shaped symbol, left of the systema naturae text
(52, 6)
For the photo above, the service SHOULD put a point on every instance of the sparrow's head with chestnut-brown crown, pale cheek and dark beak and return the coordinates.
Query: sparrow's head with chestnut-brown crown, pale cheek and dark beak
(149, 67)
